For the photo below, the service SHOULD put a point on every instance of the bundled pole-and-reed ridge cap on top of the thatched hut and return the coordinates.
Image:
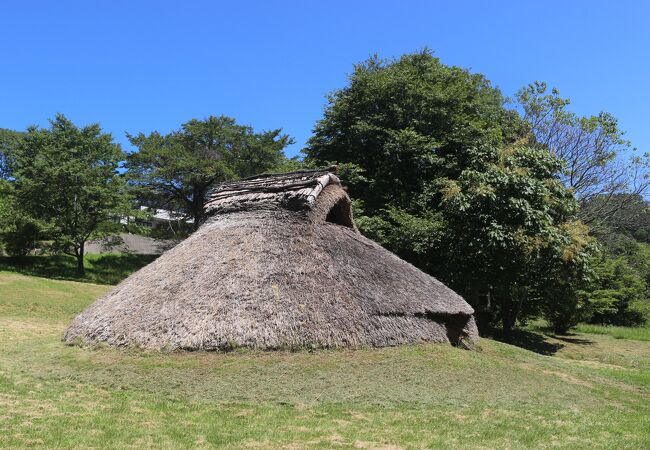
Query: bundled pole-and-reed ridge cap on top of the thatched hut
(293, 190)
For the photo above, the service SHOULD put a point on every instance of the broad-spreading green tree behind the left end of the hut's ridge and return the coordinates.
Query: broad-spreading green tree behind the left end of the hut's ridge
(177, 170)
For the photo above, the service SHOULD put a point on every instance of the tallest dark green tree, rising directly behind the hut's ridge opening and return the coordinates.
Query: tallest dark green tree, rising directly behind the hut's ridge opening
(406, 122)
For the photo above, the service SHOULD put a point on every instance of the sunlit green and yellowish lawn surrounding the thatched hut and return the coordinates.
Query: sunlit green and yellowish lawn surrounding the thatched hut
(595, 392)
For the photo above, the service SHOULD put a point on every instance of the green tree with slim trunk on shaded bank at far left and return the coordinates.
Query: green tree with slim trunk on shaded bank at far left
(68, 177)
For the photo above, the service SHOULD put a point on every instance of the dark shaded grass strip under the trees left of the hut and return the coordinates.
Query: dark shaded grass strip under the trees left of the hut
(108, 268)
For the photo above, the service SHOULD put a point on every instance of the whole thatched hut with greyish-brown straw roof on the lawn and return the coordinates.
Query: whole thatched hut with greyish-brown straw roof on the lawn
(278, 264)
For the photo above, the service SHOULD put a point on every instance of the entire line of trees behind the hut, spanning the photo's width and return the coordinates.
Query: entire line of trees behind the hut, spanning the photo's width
(523, 207)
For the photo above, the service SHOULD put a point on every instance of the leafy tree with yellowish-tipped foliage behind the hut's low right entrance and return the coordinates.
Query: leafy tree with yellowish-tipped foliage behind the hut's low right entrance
(509, 233)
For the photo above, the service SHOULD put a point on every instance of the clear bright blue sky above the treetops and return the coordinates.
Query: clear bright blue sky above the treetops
(152, 65)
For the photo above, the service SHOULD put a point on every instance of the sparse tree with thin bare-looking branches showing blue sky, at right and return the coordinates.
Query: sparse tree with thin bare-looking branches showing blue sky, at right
(599, 160)
